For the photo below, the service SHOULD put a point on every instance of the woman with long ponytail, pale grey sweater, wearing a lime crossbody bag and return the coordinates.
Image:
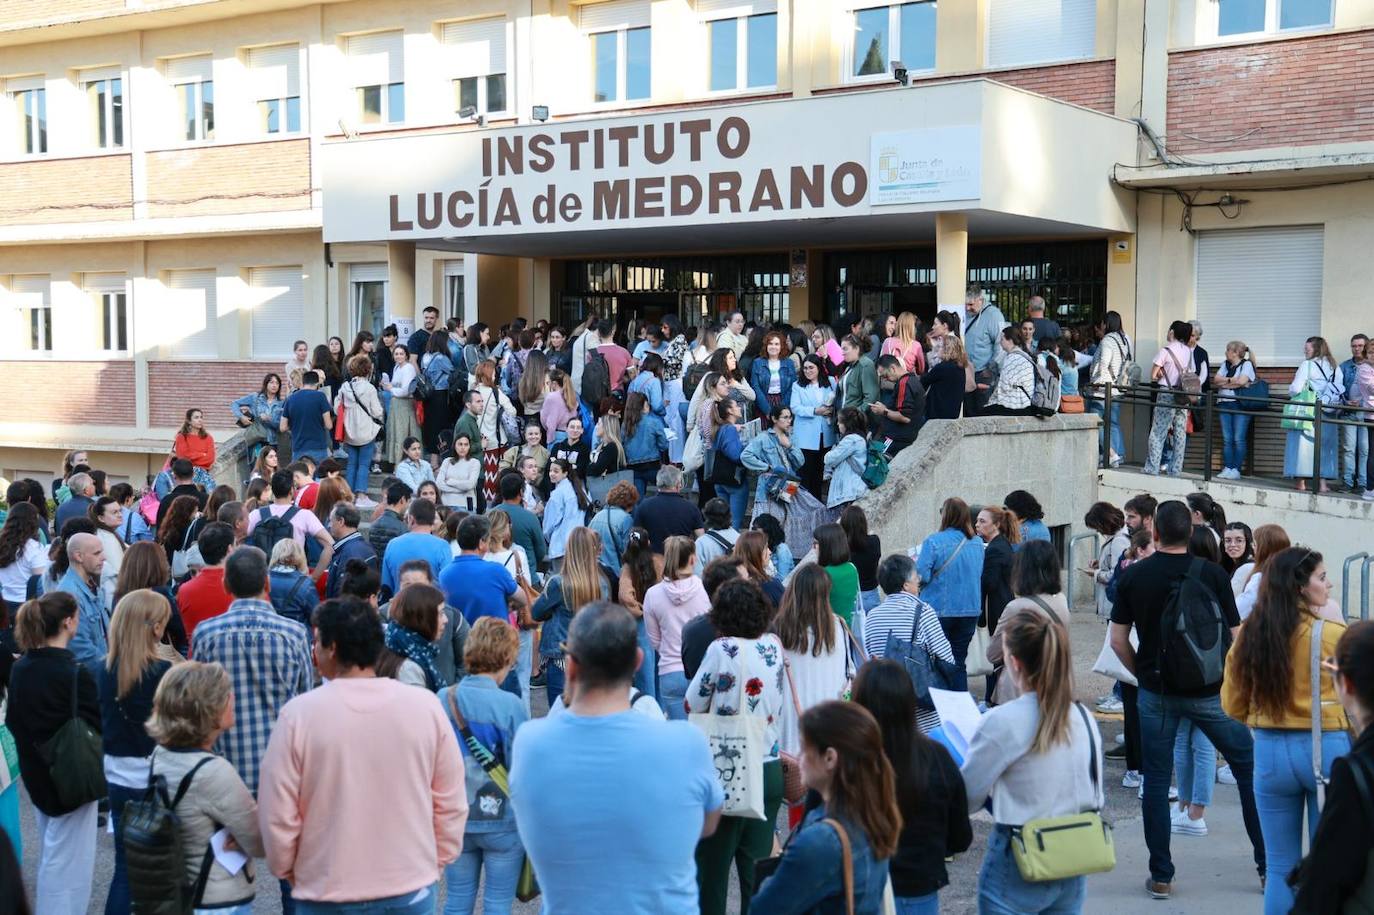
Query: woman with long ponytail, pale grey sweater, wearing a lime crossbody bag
(1038, 756)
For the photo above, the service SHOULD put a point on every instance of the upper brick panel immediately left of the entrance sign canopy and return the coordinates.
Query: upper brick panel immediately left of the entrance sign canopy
(251, 178)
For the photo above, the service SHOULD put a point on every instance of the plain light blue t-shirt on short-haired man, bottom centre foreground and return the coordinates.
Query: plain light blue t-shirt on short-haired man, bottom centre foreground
(611, 810)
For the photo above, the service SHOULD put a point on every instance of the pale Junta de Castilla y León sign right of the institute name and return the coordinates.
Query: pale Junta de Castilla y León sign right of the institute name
(925, 166)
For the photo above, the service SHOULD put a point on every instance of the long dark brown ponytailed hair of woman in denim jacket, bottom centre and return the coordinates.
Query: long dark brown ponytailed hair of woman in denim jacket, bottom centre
(864, 791)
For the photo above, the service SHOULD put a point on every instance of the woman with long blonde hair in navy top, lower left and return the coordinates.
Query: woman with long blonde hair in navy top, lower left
(127, 682)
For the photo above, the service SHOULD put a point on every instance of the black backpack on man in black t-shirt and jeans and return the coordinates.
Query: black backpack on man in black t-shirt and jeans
(1193, 635)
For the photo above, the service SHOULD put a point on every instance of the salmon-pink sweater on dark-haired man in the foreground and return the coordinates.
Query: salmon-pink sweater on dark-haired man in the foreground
(362, 793)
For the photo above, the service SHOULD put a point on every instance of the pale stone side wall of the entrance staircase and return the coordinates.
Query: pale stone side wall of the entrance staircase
(982, 461)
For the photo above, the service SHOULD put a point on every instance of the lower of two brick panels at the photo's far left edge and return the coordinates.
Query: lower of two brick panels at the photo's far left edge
(60, 392)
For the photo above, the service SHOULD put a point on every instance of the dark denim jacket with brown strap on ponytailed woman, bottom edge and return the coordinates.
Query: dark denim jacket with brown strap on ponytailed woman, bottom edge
(810, 879)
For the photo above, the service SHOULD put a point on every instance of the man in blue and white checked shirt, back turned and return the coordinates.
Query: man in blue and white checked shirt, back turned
(269, 659)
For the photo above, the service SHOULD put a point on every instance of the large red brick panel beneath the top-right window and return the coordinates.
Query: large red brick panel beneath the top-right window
(1299, 93)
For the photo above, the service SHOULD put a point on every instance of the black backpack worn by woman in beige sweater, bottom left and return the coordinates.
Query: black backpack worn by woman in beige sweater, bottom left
(153, 851)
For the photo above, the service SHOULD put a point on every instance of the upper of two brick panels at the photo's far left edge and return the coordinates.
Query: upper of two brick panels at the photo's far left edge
(98, 188)
